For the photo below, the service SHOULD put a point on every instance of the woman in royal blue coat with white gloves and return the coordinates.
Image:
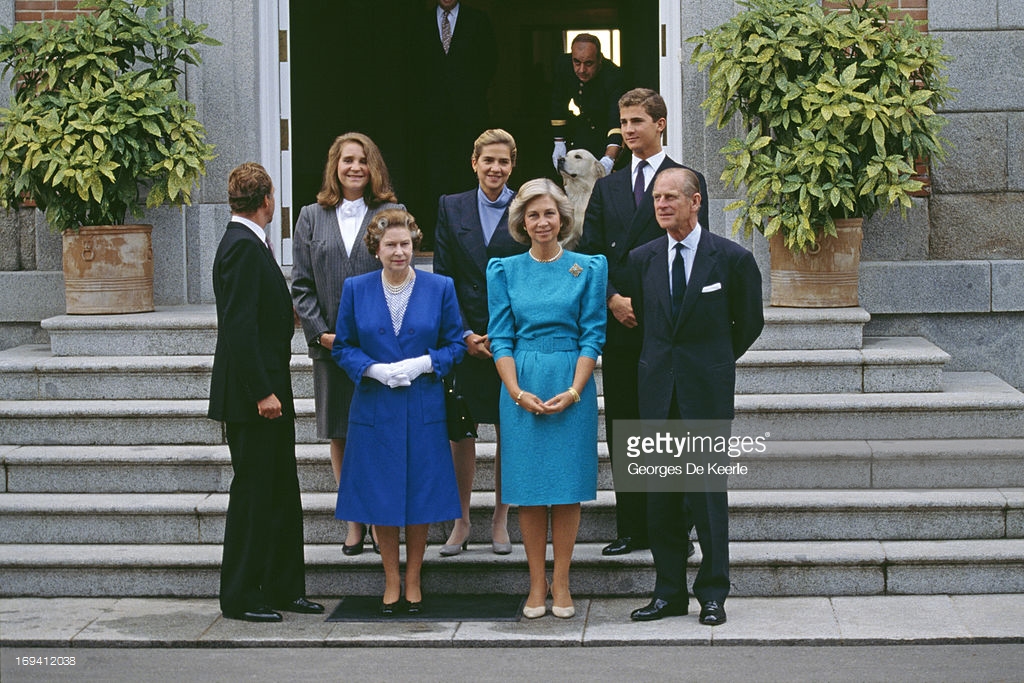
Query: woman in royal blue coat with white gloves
(399, 332)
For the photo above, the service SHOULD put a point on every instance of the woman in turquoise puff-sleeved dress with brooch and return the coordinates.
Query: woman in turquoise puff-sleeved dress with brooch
(547, 329)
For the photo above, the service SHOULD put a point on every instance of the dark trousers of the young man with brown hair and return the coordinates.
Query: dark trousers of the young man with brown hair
(622, 402)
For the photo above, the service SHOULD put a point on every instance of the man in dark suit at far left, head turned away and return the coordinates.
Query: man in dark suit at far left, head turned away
(264, 569)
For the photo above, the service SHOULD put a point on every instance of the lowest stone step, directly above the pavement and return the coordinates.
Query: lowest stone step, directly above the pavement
(757, 569)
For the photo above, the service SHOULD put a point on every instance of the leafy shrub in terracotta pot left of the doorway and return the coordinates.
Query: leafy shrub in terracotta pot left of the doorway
(97, 131)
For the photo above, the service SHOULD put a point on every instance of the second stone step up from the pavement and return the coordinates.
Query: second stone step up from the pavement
(754, 516)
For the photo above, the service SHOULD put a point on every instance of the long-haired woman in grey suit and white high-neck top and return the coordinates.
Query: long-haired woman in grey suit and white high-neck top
(327, 249)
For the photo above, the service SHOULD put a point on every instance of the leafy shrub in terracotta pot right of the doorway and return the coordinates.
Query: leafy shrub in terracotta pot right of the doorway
(836, 108)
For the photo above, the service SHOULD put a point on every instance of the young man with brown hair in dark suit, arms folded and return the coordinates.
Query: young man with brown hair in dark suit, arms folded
(620, 218)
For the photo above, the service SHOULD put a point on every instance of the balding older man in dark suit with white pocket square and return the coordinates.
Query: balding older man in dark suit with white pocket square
(698, 300)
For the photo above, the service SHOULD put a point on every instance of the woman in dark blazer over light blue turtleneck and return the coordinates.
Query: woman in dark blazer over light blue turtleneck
(473, 229)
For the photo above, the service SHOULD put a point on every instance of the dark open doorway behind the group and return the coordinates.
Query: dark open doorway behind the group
(352, 70)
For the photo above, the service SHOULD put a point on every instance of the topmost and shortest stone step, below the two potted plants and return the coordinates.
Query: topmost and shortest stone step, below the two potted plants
(193, 331)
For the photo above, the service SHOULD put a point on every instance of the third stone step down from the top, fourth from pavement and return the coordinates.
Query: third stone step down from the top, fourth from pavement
(971, 406)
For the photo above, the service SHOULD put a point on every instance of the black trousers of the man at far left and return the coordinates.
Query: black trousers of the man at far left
(263, 563)
